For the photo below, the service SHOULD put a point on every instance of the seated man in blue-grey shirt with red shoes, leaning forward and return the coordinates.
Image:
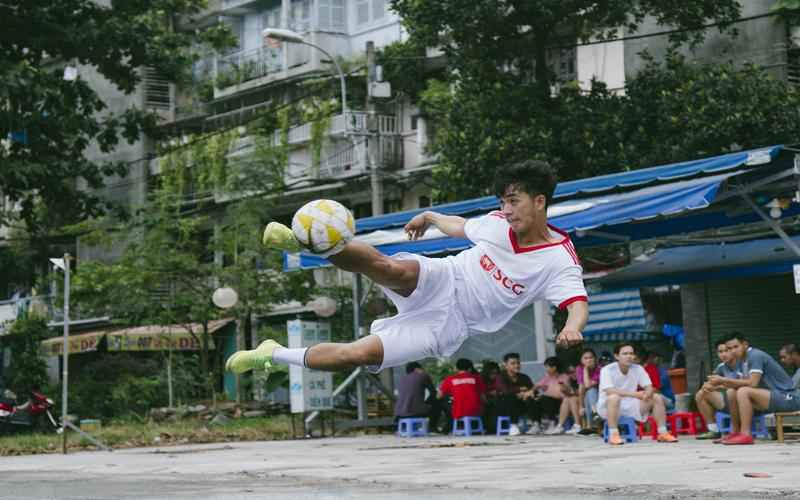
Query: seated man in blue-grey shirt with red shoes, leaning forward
(765, 387)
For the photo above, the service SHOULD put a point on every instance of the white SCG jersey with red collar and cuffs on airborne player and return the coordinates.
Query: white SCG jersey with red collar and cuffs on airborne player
(500, 277)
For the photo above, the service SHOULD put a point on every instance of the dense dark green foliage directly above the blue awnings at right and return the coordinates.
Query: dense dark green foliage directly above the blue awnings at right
(672, 111)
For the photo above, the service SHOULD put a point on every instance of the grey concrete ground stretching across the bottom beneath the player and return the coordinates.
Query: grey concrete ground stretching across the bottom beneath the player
(378, 467)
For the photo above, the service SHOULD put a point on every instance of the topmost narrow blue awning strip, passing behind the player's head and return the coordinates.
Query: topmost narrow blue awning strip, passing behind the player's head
(593, 185)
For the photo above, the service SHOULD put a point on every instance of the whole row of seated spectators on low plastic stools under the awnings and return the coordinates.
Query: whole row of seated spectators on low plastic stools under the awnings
(577, 399)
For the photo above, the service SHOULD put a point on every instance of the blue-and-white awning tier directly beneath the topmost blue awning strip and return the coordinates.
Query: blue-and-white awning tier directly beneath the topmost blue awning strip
(579, 215)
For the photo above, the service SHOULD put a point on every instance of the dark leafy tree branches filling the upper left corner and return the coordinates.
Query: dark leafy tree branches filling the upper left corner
(51, 121)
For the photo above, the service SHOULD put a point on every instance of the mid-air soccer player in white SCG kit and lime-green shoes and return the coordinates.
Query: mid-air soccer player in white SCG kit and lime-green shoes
(517, 258)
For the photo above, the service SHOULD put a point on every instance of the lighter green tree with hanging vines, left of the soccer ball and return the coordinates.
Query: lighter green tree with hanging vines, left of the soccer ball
(169, 271)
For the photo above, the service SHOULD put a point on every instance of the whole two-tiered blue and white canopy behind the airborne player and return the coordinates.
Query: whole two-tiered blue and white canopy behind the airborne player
(634, 205)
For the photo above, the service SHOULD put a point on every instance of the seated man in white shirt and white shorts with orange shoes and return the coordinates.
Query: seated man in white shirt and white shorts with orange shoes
(620, 396)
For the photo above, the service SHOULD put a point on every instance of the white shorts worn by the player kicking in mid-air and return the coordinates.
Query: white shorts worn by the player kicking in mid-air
(428, 322)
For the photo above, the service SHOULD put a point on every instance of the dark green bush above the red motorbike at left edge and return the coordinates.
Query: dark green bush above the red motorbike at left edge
(28, 369)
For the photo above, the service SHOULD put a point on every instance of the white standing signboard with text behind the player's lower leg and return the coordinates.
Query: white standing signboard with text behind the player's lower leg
(309, 390)
